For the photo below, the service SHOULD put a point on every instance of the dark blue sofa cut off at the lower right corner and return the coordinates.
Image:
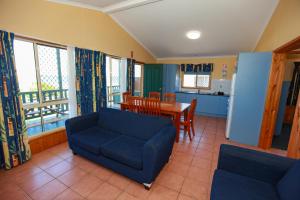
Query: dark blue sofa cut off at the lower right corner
(244, 174)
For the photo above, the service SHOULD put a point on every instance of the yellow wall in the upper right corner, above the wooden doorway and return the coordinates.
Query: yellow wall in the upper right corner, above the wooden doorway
(283, 26)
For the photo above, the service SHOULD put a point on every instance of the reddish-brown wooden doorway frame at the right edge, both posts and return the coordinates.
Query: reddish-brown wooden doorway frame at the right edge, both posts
(276, 79)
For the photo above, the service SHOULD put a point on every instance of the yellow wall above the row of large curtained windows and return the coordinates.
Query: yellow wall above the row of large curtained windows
(69, 25)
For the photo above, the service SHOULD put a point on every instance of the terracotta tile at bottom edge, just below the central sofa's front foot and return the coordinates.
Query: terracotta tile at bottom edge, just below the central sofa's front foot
(162, 193)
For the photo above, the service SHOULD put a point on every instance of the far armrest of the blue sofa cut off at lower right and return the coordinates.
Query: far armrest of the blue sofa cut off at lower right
(258, 165)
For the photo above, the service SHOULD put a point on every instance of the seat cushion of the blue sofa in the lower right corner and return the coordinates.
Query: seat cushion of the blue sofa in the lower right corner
(232, 186)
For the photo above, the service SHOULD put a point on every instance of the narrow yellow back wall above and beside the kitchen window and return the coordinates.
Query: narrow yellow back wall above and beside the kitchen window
(218, 63)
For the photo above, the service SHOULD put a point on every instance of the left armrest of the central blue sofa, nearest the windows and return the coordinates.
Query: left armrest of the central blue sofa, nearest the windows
(81, 123)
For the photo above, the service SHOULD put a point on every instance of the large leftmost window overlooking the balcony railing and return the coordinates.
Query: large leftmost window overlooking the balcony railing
(42, 75)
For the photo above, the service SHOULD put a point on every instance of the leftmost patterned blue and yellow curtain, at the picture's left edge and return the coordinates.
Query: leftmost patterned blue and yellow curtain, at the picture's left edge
(14, 149)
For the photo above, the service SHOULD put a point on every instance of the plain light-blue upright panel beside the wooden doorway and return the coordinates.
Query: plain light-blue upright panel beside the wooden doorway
(250, 94)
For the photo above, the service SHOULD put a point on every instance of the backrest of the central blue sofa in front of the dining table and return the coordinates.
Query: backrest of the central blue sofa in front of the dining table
(131, 124)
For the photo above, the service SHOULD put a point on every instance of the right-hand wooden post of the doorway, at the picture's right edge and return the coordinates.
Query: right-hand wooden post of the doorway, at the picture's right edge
(294, 143)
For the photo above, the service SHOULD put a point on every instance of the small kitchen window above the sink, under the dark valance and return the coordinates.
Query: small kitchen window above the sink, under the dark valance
(196, 81)
